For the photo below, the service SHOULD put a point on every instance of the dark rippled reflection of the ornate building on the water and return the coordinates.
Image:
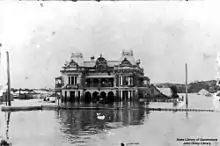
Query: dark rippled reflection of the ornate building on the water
(82, 123)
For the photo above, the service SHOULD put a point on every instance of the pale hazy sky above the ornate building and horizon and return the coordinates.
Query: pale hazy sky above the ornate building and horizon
(163, 35)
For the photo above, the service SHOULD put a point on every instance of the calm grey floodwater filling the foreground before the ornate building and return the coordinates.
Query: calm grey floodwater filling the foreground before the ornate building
(134, 127)
